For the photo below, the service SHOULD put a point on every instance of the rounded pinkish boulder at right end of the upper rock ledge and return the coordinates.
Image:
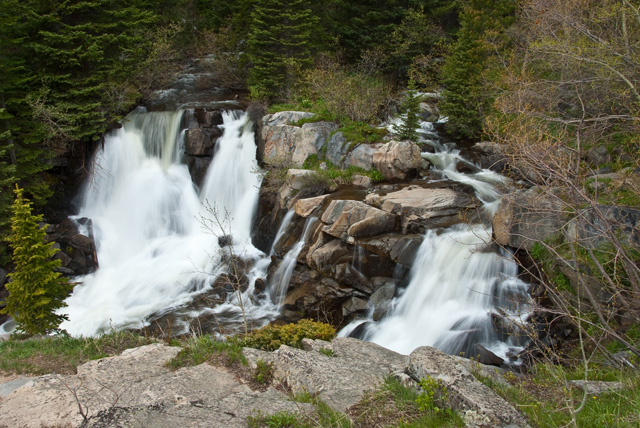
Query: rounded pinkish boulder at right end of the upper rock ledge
(396, 159)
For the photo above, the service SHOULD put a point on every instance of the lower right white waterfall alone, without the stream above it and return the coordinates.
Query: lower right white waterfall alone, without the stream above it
(454, 284)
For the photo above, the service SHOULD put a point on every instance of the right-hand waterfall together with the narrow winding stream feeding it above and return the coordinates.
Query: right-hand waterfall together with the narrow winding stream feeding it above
(459, 285)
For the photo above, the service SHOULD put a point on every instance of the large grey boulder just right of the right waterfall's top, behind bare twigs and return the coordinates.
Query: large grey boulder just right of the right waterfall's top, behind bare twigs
(528, 216)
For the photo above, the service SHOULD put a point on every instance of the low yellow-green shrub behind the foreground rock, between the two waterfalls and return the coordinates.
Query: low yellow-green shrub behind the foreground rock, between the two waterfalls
(271, 337)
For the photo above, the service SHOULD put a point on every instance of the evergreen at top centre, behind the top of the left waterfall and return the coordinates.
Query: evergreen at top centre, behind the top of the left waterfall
(279, 46)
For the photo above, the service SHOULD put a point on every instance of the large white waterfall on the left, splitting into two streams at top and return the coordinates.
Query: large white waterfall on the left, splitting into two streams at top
(148, 220)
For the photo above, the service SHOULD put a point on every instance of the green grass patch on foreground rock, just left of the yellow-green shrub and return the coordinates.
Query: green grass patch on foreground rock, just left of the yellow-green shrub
(200, 349)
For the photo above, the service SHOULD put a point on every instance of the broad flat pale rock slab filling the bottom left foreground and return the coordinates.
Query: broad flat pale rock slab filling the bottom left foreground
(137, 389)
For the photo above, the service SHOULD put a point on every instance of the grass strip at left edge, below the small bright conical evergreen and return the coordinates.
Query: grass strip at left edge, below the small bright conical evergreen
(62, 354)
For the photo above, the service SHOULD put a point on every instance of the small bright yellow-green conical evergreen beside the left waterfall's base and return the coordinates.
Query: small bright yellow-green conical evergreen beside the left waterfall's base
(36, 290)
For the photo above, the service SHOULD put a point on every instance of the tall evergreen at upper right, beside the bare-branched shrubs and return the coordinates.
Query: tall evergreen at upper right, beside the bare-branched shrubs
(470, 71)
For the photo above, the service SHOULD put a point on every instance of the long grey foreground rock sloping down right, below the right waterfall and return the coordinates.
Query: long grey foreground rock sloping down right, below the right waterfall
(465, 392)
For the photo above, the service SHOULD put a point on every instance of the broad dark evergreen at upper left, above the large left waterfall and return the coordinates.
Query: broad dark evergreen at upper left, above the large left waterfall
(84, 52)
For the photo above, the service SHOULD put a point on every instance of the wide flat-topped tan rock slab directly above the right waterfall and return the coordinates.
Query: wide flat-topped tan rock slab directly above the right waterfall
(422, 208)
